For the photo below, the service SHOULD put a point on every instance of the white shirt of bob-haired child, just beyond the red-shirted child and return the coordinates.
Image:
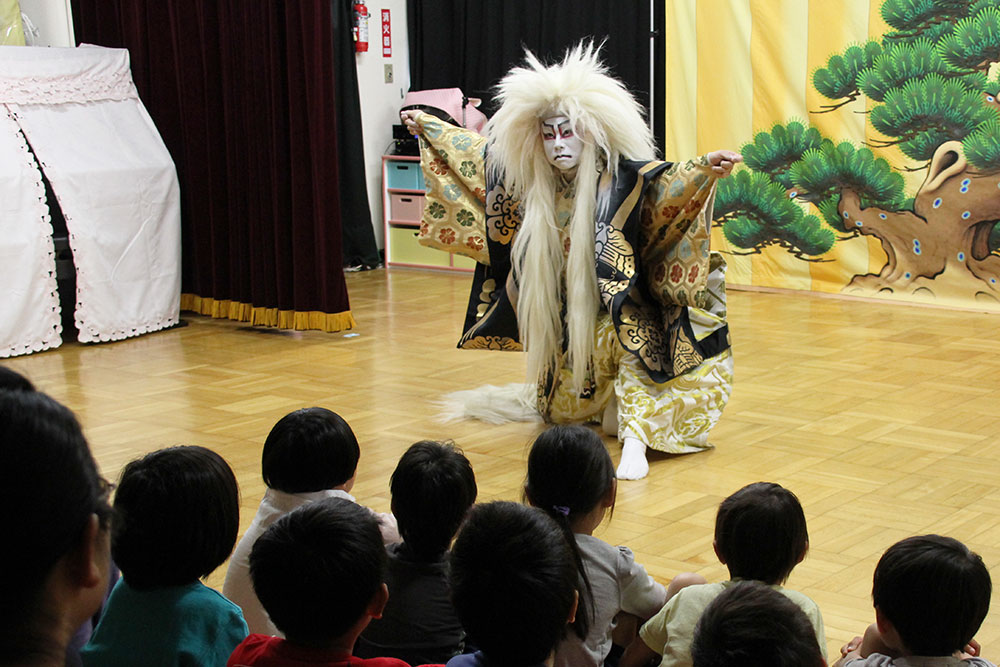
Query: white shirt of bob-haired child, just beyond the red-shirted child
(274, 505)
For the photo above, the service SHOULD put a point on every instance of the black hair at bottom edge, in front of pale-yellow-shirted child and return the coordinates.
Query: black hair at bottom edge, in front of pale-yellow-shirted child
(750, 623)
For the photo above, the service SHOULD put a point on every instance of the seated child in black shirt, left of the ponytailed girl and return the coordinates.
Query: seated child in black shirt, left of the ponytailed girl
(433, 487)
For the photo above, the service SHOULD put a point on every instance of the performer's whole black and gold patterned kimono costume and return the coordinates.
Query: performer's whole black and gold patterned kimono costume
(661, 342)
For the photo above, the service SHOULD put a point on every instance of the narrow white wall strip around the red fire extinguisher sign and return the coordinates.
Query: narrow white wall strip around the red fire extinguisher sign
(380, 101)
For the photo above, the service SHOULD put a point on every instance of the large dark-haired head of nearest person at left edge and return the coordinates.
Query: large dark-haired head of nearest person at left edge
(57, 528)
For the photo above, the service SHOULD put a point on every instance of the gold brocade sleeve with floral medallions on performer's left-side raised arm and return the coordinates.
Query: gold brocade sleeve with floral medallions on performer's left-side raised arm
(452, 160)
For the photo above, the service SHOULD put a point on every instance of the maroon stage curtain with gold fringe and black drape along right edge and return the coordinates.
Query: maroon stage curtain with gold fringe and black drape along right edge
(249, 97)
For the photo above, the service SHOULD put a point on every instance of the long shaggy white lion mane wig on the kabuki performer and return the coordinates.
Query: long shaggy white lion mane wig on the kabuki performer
(610, 122)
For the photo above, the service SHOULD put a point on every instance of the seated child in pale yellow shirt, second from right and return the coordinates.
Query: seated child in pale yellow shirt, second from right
(760, 534)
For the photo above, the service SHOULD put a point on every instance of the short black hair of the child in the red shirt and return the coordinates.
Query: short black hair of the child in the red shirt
(316, 569)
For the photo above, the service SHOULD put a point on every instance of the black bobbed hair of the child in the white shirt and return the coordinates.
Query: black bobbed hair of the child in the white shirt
(312, 449)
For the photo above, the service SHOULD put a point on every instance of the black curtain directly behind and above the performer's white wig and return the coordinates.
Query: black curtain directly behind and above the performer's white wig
(471, 44)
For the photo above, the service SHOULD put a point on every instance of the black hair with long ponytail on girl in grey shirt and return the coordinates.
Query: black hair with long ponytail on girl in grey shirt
(569, 473)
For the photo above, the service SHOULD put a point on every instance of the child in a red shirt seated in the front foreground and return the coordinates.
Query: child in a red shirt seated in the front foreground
(318, 573)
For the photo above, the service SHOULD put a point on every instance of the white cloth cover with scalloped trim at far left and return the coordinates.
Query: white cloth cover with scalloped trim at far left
(117, 188)
